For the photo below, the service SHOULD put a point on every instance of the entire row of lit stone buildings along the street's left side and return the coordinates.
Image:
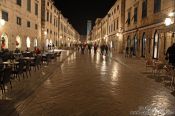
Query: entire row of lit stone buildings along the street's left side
(33, 23)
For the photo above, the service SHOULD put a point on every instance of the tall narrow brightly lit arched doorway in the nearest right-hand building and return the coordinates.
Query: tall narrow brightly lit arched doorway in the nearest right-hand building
(156, 45)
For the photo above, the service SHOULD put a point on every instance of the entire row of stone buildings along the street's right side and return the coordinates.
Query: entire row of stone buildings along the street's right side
(138, 25)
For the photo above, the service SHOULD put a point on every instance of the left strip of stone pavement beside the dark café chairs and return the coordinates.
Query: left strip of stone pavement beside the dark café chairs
(24, 88)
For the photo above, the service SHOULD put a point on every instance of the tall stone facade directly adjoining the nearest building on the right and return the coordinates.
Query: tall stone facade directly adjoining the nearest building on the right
(115, 25)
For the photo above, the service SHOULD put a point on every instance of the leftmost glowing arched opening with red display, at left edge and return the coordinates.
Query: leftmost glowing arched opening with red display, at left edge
(4, 41)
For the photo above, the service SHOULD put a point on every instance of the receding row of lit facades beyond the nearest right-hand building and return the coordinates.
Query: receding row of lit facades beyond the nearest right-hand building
(109, 29)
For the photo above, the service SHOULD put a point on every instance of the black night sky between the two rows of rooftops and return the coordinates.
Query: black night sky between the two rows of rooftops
(79, 11)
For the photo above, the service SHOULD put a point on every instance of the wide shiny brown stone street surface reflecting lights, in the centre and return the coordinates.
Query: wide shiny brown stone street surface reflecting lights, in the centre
(92, 85)
